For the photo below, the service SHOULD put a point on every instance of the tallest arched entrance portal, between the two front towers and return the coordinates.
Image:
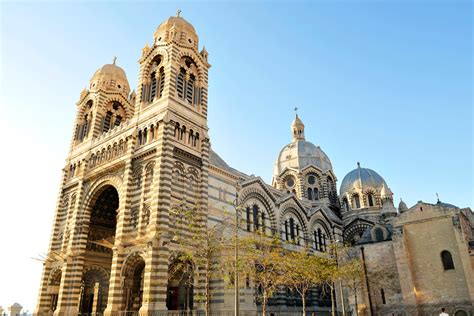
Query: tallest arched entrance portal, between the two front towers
(98, 256)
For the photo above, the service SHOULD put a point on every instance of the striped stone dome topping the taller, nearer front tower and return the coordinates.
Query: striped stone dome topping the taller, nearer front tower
(177, 29)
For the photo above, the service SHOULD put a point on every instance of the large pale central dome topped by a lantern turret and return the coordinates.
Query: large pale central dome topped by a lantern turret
(300, 153)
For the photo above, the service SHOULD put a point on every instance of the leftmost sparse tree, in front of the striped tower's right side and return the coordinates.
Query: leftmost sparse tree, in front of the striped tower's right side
(199, 245)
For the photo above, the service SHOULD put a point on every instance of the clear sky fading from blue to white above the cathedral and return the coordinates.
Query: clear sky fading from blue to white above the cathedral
(386, 83)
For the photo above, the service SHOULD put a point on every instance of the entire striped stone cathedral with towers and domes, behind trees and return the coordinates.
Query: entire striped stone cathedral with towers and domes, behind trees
(134, 155)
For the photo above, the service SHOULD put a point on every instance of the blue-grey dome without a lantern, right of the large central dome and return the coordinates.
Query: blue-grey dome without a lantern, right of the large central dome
(367, 178)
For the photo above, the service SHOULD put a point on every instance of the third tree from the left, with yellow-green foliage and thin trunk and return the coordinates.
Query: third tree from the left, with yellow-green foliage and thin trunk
(303, 271)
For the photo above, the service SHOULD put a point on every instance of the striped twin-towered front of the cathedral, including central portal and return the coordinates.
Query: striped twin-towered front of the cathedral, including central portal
(132, 156)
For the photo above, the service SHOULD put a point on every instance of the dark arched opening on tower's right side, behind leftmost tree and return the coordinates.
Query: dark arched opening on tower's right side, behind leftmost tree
(179, 294)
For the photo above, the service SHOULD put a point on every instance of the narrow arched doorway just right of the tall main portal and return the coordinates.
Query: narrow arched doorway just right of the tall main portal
(133, 283)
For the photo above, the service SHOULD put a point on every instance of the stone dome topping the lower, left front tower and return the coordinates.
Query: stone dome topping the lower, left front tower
(110, 77)
